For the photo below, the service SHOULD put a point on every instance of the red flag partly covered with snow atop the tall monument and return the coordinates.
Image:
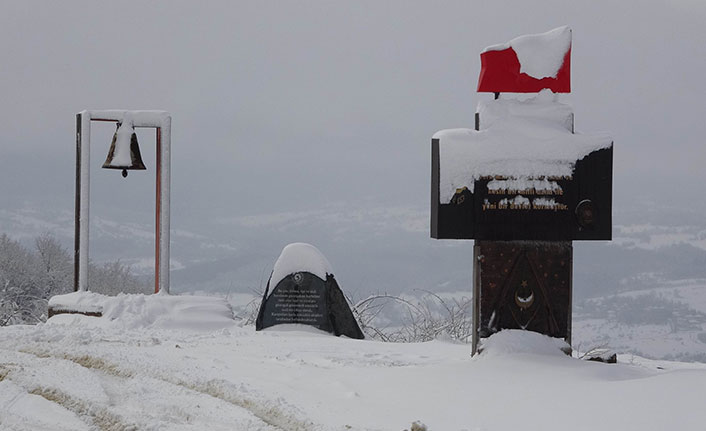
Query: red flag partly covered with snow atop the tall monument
(528, 64)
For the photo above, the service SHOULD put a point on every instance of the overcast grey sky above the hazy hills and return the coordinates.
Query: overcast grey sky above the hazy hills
(282, 106)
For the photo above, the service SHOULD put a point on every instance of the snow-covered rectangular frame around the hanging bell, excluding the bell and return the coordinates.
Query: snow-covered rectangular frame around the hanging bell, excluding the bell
(162, 122)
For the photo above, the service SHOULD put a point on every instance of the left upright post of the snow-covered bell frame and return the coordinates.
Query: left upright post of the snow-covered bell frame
(83, 172)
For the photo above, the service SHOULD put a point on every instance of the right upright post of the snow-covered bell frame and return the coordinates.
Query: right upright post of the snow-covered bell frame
(164, 136)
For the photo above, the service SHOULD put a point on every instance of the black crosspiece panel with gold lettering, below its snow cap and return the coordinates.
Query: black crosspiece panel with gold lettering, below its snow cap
(557, 208)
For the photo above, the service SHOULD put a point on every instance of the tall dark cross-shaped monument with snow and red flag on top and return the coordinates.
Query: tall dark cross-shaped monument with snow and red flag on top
(523, 185)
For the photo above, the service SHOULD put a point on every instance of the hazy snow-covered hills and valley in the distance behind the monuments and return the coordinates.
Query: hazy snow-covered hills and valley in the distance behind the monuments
(656, 259)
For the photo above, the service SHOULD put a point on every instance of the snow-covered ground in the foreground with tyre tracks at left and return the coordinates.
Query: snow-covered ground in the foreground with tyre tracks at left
(141, 367)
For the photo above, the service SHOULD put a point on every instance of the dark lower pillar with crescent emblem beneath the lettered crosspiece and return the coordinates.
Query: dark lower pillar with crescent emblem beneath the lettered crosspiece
(522, 285)
